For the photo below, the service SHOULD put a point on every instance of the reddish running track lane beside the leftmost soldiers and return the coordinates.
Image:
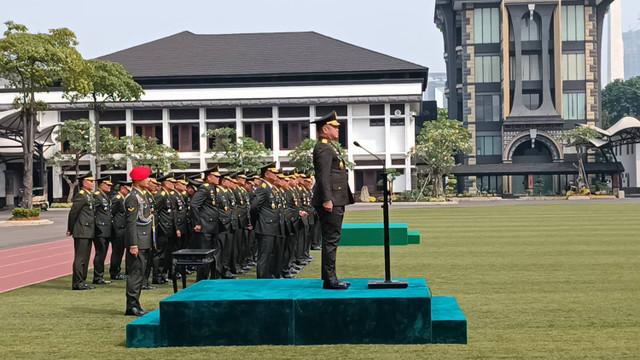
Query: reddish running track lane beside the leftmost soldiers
(28, 265)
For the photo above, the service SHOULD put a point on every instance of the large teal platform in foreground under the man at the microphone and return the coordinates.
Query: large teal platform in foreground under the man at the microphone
(299, 312)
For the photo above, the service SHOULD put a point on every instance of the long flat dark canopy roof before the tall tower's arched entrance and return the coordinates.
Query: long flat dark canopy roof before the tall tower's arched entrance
(536, 169)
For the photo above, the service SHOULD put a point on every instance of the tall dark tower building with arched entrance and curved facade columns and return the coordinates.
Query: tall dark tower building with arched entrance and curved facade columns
(520, 73)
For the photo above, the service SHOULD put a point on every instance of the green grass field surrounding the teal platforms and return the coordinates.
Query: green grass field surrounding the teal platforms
(535, 281)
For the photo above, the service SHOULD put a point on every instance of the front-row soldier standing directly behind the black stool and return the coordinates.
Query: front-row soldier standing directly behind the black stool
(205, 217)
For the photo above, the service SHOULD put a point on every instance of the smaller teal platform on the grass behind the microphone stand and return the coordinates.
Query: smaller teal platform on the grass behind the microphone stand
(373, 235)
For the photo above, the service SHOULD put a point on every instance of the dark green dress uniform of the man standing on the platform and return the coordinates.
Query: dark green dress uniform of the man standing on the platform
(332, 184)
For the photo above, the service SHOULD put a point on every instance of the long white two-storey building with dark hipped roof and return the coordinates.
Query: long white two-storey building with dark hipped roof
(267, 86)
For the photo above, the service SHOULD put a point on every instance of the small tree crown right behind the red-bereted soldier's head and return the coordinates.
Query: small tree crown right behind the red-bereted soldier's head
(146, 151)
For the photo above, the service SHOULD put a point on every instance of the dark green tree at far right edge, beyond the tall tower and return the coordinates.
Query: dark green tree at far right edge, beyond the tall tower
(619, 99)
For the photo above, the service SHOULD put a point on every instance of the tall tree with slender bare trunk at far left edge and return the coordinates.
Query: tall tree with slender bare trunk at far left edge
(31, 63)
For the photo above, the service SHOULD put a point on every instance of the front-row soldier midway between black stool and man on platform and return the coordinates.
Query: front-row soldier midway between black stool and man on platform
(269, 224)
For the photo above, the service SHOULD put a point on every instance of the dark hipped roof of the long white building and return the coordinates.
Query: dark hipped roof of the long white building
(187, 55)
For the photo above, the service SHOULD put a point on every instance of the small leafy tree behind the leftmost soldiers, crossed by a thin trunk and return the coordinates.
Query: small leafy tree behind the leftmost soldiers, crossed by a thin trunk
(77, 137)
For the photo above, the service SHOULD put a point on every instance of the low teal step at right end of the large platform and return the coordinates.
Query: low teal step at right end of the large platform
(448, 323)
